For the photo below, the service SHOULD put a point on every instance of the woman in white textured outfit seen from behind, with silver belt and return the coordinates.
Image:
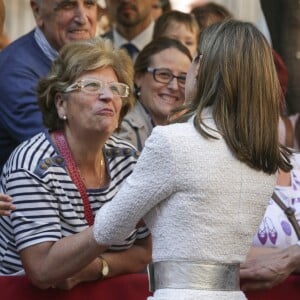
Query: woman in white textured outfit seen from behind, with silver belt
(202, 186)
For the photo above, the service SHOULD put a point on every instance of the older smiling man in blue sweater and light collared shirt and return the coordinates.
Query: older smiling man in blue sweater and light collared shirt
(29, 58)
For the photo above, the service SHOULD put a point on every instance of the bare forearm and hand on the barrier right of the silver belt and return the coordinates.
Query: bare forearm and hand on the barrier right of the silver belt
(269, 269)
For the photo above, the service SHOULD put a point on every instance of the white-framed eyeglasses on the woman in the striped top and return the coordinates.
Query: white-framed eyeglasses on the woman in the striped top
(94, 86)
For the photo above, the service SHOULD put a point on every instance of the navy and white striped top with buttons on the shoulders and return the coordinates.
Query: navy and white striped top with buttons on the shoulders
(49, 206)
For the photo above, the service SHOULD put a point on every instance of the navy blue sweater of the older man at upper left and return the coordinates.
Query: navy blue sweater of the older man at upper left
(22, 64)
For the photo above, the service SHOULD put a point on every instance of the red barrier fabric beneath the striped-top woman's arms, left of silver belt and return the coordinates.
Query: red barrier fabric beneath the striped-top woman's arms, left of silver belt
(125, 287)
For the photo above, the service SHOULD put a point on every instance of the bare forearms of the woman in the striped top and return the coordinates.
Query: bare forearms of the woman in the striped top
(74, 259)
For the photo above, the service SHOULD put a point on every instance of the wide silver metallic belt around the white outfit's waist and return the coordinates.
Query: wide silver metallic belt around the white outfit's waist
(193, 275)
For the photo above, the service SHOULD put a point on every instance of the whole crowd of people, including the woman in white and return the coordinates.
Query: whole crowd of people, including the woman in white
(143, 145)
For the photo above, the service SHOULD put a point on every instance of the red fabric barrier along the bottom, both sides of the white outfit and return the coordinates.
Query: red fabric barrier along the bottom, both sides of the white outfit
(125, 287)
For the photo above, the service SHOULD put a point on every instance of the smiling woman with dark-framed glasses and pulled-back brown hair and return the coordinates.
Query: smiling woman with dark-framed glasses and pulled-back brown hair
(160, 74)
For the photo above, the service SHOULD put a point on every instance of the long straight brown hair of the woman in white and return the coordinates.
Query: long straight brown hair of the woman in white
(238, 80)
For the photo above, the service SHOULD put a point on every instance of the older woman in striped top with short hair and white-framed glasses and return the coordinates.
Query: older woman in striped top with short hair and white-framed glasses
(59, 178)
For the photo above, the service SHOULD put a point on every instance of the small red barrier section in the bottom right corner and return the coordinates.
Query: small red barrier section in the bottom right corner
(289, 289)
